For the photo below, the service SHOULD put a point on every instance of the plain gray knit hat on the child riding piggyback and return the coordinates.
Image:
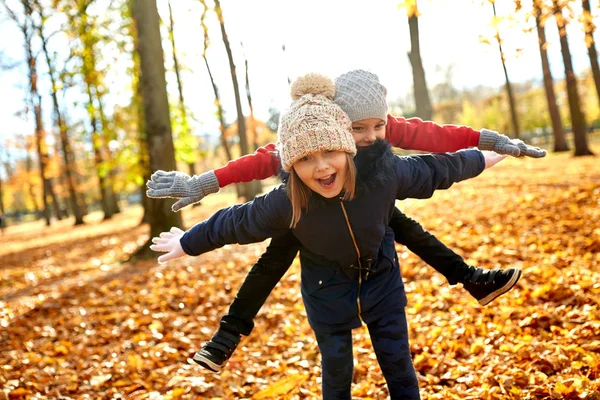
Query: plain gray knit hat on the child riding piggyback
(360, 95)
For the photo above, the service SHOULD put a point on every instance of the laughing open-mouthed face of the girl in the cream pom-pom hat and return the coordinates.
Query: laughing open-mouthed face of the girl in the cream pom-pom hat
(323, 172)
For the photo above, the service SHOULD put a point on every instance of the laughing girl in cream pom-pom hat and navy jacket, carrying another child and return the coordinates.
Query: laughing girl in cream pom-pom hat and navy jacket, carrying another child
(340, 215)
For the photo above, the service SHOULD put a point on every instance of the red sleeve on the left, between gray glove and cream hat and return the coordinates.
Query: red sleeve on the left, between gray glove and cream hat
(263, 164)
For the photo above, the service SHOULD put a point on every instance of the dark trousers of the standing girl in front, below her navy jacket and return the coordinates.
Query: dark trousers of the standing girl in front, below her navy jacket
(389, 336)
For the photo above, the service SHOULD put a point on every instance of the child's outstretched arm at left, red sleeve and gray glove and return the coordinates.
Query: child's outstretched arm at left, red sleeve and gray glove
(262, 164)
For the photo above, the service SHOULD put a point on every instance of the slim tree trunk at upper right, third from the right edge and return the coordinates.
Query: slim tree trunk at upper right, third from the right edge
(560, 142)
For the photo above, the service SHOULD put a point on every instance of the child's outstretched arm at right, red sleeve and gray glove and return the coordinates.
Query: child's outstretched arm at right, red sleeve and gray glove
(415, 134)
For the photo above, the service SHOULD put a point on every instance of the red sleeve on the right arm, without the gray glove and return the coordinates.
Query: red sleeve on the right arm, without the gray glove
(415, 134)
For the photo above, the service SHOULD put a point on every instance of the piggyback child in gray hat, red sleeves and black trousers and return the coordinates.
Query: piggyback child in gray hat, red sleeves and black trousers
(360, 94)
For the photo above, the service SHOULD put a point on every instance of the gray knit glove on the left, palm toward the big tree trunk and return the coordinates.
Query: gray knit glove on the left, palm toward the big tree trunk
(178, 185)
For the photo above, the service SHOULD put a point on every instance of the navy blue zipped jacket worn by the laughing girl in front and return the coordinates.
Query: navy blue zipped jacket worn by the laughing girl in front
(340, 289)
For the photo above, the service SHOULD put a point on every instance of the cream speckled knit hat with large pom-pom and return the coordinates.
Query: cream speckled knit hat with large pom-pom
(313, 122)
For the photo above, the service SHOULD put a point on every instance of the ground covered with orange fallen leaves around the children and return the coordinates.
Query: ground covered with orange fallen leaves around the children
(79, 321)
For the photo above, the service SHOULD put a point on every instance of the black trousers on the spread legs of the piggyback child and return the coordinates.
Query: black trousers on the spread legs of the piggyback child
(278, 257)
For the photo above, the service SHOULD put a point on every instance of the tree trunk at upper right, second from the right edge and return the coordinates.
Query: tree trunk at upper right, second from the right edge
(578, 123)
